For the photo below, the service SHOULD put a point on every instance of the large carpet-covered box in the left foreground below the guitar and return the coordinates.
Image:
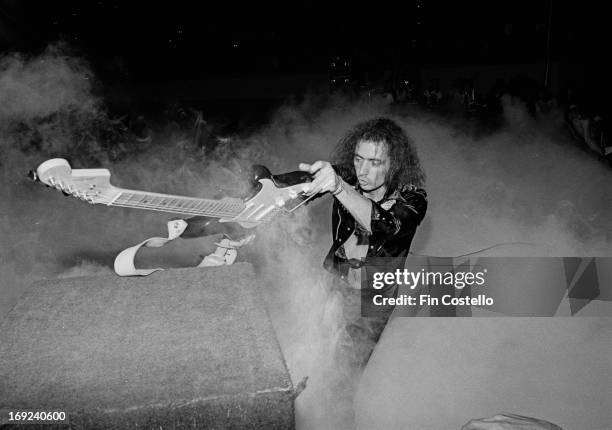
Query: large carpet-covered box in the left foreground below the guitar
(179, 349)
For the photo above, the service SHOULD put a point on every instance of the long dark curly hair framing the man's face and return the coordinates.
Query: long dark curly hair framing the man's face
(405, 166)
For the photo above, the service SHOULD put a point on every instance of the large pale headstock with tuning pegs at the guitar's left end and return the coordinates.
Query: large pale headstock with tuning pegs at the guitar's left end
(90, 185)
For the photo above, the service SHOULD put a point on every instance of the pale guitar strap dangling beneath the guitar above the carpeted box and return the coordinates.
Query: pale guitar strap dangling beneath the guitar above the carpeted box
(225, 254)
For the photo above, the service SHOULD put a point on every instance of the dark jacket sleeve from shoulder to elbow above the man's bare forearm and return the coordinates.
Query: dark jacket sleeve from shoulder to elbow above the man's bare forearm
(395, 218)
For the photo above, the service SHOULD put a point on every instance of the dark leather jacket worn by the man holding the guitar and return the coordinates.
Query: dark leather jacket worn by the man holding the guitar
(393, 224)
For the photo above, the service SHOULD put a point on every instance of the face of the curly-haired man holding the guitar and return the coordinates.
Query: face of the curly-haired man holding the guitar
(371, 164)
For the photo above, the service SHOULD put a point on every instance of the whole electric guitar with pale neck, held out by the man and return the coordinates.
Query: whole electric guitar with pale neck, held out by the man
(273, 194)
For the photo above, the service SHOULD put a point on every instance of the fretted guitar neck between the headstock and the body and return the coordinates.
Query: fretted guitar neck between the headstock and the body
(226, 208)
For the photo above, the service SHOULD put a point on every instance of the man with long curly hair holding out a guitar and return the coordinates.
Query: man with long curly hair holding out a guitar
(377, 184)
